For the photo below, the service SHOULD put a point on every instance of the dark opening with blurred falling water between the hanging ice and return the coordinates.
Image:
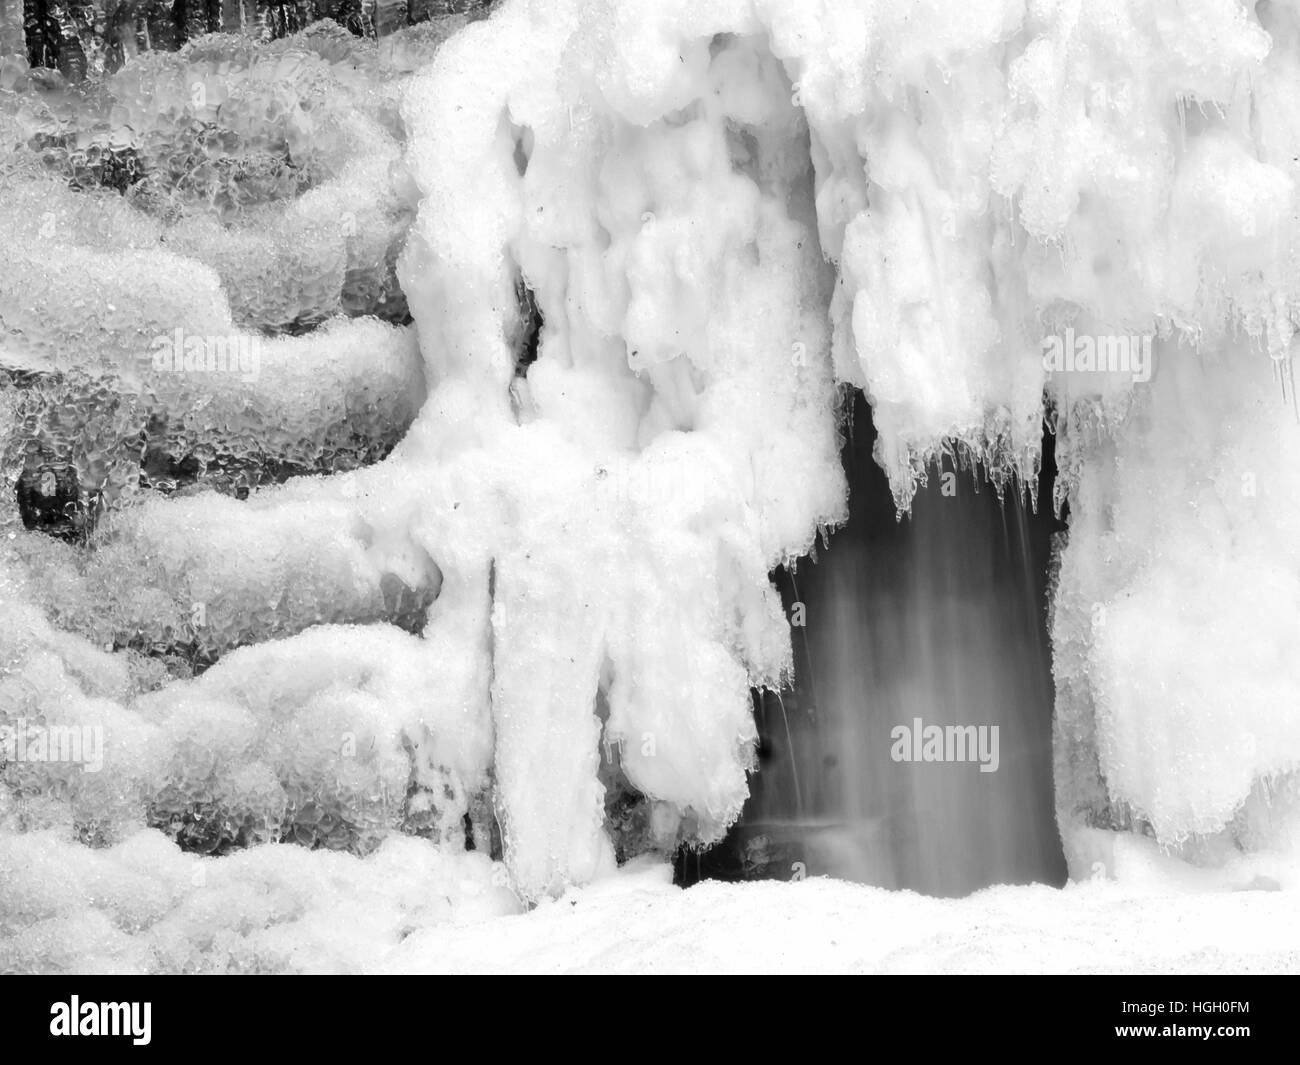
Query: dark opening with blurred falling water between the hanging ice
(939, 617)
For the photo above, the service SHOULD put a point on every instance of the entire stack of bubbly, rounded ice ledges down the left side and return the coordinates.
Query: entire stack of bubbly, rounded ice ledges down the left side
(181, 311)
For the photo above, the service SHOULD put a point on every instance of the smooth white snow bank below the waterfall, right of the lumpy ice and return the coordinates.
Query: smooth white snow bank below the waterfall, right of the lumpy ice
(640, 924)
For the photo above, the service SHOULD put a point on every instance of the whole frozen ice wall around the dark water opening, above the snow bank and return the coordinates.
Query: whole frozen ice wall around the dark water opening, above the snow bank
(645, 249)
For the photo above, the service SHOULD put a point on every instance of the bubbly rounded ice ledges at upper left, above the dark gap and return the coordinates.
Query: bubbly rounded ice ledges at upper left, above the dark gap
(223, 197)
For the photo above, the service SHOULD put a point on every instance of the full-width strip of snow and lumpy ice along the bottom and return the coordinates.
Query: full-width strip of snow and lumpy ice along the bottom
(414, 908)
